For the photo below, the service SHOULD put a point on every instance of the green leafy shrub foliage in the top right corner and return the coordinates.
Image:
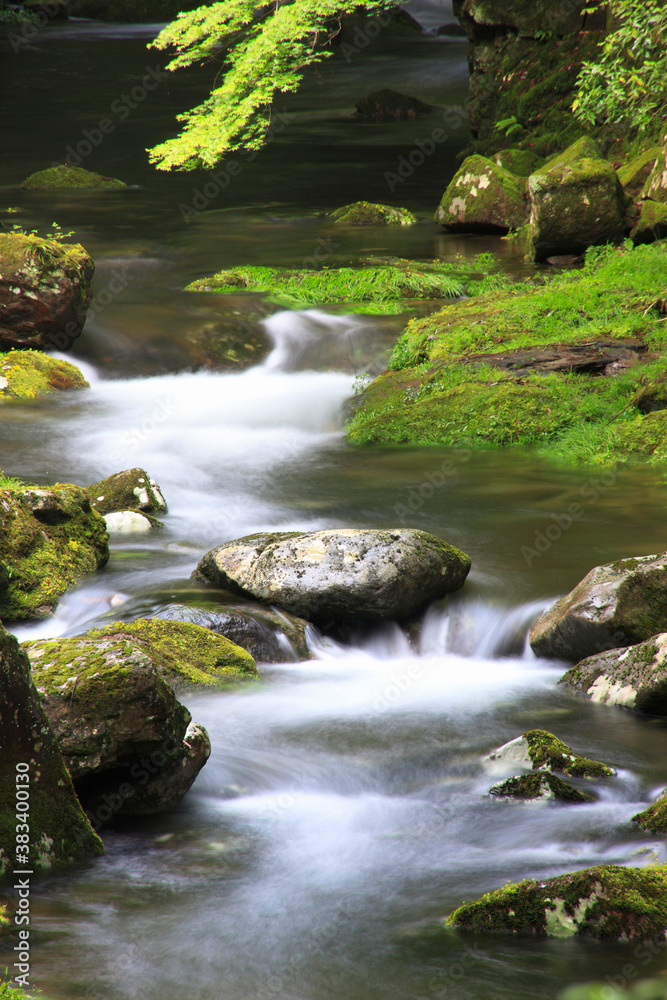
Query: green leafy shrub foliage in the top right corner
(627, 86)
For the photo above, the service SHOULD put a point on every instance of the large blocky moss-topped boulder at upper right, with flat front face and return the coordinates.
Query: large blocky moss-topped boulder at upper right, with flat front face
(576, 201)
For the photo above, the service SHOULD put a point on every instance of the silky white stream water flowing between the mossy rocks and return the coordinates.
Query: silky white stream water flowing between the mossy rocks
(344, 809)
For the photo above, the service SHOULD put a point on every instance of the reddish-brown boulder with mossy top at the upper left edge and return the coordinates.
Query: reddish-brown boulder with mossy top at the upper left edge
(44, 291)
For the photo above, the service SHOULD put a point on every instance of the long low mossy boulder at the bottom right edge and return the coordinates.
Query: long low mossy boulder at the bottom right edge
(608, 902)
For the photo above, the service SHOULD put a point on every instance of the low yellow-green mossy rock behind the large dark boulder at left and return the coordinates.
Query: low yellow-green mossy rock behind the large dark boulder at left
(186, 655)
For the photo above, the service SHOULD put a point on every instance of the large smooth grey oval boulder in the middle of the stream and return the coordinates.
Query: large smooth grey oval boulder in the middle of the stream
(339, 575)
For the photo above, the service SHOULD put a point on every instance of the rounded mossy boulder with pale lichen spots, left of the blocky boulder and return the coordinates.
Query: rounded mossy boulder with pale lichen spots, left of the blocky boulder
(483, 197)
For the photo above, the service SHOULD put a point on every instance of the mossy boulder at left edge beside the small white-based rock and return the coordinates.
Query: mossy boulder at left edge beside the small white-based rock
(49, 538)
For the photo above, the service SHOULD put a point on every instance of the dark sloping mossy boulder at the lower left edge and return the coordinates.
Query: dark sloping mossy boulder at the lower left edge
(59, 832)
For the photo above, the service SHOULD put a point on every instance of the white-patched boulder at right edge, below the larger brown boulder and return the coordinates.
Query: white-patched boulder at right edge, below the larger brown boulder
(633, 677)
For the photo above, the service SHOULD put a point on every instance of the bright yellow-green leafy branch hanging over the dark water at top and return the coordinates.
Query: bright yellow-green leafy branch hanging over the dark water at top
(264, 51)
